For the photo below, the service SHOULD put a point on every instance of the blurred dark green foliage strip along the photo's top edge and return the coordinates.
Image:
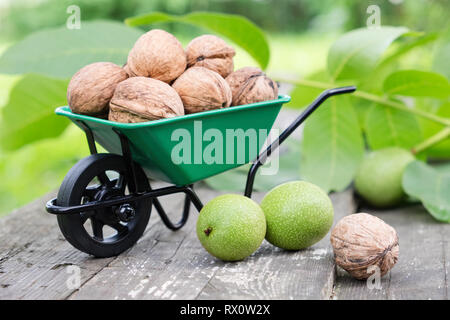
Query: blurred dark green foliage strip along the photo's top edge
(278, 16)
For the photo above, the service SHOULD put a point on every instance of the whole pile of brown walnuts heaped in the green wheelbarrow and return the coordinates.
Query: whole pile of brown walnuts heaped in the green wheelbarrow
(162, 80)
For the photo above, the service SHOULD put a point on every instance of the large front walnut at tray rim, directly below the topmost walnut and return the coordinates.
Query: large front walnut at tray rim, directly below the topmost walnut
(140, 99)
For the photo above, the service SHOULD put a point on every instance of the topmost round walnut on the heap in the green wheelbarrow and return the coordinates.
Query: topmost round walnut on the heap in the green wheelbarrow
(157, 54)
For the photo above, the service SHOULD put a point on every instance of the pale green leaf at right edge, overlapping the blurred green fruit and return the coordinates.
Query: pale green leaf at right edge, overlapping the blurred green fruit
(429, 186)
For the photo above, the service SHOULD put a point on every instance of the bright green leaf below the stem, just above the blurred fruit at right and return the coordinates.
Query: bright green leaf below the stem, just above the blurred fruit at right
(387, 127)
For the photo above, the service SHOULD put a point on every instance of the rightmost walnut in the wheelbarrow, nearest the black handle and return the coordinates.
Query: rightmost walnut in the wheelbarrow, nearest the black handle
(250, 85)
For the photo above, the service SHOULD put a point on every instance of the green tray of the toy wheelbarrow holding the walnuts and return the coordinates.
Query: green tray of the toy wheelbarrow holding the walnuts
(154, 144)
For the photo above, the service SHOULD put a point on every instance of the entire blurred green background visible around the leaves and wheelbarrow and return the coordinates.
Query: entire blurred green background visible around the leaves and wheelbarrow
(299, 32)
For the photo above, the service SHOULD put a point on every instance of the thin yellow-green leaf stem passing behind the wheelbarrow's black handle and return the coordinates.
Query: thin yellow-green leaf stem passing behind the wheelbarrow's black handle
(370, 97)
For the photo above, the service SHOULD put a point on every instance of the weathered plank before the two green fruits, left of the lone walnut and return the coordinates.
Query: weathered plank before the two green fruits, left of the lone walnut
(273, 273)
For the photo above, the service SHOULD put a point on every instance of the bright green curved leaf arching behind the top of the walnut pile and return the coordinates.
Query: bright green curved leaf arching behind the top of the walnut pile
(238, 29)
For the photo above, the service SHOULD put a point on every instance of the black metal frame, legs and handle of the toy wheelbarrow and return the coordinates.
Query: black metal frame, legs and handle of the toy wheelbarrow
(190, 195)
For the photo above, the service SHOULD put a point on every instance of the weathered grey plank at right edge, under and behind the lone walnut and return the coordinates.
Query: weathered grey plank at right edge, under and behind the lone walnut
(422, 269)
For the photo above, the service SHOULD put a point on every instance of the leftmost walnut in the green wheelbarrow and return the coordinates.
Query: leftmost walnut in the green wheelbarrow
(92, 87)
